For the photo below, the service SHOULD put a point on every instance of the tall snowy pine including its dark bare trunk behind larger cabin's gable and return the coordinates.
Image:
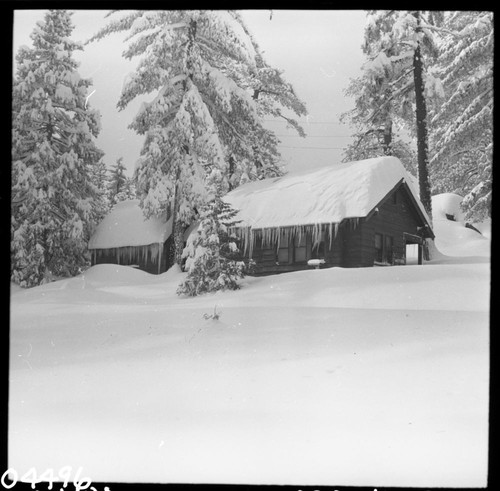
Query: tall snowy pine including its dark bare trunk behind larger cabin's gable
(396, 43)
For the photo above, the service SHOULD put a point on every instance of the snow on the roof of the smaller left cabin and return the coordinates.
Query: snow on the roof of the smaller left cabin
(125, 226)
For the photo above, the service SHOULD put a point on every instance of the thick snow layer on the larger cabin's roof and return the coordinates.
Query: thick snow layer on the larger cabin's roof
(323, 195)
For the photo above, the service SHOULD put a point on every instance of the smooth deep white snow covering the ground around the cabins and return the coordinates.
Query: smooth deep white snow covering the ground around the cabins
(374, 376)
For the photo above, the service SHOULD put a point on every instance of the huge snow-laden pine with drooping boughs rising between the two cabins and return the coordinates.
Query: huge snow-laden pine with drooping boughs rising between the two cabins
(204, 69)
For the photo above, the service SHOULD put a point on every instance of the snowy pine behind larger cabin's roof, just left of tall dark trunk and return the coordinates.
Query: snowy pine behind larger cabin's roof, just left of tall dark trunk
(382, 95)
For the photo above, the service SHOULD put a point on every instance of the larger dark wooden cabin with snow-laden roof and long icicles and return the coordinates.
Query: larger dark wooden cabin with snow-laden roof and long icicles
(352, 214)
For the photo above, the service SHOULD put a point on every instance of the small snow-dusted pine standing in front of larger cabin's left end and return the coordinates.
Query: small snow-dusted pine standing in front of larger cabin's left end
(213, 258)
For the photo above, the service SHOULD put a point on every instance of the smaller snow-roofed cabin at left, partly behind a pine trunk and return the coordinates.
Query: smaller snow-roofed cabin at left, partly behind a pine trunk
(125, 237)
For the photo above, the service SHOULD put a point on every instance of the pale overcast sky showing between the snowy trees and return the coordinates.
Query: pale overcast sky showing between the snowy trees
(318, 50)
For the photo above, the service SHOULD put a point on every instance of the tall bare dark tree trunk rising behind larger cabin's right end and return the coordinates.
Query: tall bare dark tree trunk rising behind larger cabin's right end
(421, 123)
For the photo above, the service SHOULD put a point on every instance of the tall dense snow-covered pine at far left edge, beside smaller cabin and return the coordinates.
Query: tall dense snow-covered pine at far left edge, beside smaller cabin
(53, 151)
